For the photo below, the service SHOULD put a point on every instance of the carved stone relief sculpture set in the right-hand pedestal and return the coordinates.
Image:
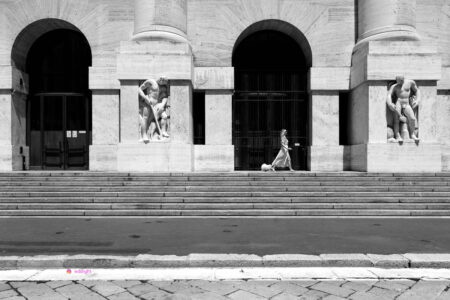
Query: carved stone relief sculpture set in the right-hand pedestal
(402, 110)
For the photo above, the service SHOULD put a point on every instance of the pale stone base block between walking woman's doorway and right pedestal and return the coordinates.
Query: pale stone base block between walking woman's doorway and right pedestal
(326, 158)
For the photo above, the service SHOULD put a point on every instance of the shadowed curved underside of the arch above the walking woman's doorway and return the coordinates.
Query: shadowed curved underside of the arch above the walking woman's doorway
(283, 27)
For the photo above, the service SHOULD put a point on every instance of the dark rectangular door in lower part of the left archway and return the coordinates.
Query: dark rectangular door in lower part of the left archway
(59, 133)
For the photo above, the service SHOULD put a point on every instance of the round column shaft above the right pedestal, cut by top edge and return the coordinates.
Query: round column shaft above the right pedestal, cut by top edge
(386, 19)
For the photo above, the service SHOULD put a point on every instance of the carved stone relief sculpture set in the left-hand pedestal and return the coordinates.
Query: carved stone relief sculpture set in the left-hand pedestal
(154, 113)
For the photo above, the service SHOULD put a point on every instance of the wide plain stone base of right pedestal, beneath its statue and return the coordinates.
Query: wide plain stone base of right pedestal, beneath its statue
(394, 157)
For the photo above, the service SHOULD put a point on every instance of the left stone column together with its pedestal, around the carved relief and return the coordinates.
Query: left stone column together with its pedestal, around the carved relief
(158, 47)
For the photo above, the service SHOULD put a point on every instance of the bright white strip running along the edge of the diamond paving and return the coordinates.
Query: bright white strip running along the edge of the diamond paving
(223, 274)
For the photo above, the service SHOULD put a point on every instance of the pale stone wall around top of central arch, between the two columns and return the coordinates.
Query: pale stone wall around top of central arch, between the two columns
(215, 26)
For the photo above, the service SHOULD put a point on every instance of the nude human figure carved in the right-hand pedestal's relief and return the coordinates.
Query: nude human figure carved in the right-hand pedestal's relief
(403, 99)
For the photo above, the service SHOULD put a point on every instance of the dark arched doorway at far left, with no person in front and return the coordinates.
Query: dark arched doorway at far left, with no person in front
(59, 101)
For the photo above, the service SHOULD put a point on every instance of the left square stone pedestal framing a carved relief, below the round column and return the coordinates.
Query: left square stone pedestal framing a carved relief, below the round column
(137, 62)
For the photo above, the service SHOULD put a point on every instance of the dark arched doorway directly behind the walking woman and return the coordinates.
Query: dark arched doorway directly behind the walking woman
(270, 94)
